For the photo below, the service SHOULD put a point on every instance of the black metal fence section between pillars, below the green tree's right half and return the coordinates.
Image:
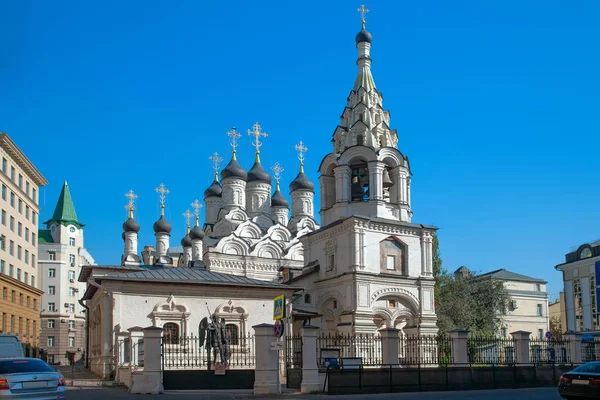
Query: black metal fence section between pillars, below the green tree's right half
(484, 351)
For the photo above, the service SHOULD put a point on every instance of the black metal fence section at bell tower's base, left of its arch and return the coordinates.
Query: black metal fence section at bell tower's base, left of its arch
(364, 346)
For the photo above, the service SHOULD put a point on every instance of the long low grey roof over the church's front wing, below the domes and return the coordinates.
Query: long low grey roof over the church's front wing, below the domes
(193, 276)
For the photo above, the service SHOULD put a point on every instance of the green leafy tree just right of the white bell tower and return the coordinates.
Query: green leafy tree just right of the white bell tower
(470, 303)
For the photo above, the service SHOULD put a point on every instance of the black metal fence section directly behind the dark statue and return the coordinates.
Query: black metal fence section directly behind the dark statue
(190, 352)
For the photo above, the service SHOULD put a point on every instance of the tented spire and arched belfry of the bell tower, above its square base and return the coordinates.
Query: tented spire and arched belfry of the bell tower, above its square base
(365, 174)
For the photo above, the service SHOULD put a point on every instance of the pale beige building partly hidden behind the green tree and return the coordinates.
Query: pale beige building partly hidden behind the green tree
(529, 303)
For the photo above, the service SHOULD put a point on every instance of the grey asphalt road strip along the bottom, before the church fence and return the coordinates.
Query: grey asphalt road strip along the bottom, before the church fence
(118, 394)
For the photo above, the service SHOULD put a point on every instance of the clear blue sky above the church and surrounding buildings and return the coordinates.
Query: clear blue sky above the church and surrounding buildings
(496, 105)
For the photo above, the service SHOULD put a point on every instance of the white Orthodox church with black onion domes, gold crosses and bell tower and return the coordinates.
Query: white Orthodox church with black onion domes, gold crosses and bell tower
(367, 267)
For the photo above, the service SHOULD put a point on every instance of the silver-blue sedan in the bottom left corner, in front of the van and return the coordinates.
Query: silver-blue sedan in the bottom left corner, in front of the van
(30, 378)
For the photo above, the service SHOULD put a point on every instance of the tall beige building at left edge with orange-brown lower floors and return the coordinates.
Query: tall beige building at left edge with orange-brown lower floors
(20, 182)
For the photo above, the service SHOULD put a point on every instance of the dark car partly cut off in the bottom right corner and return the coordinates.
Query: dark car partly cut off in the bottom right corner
(582, 382)
